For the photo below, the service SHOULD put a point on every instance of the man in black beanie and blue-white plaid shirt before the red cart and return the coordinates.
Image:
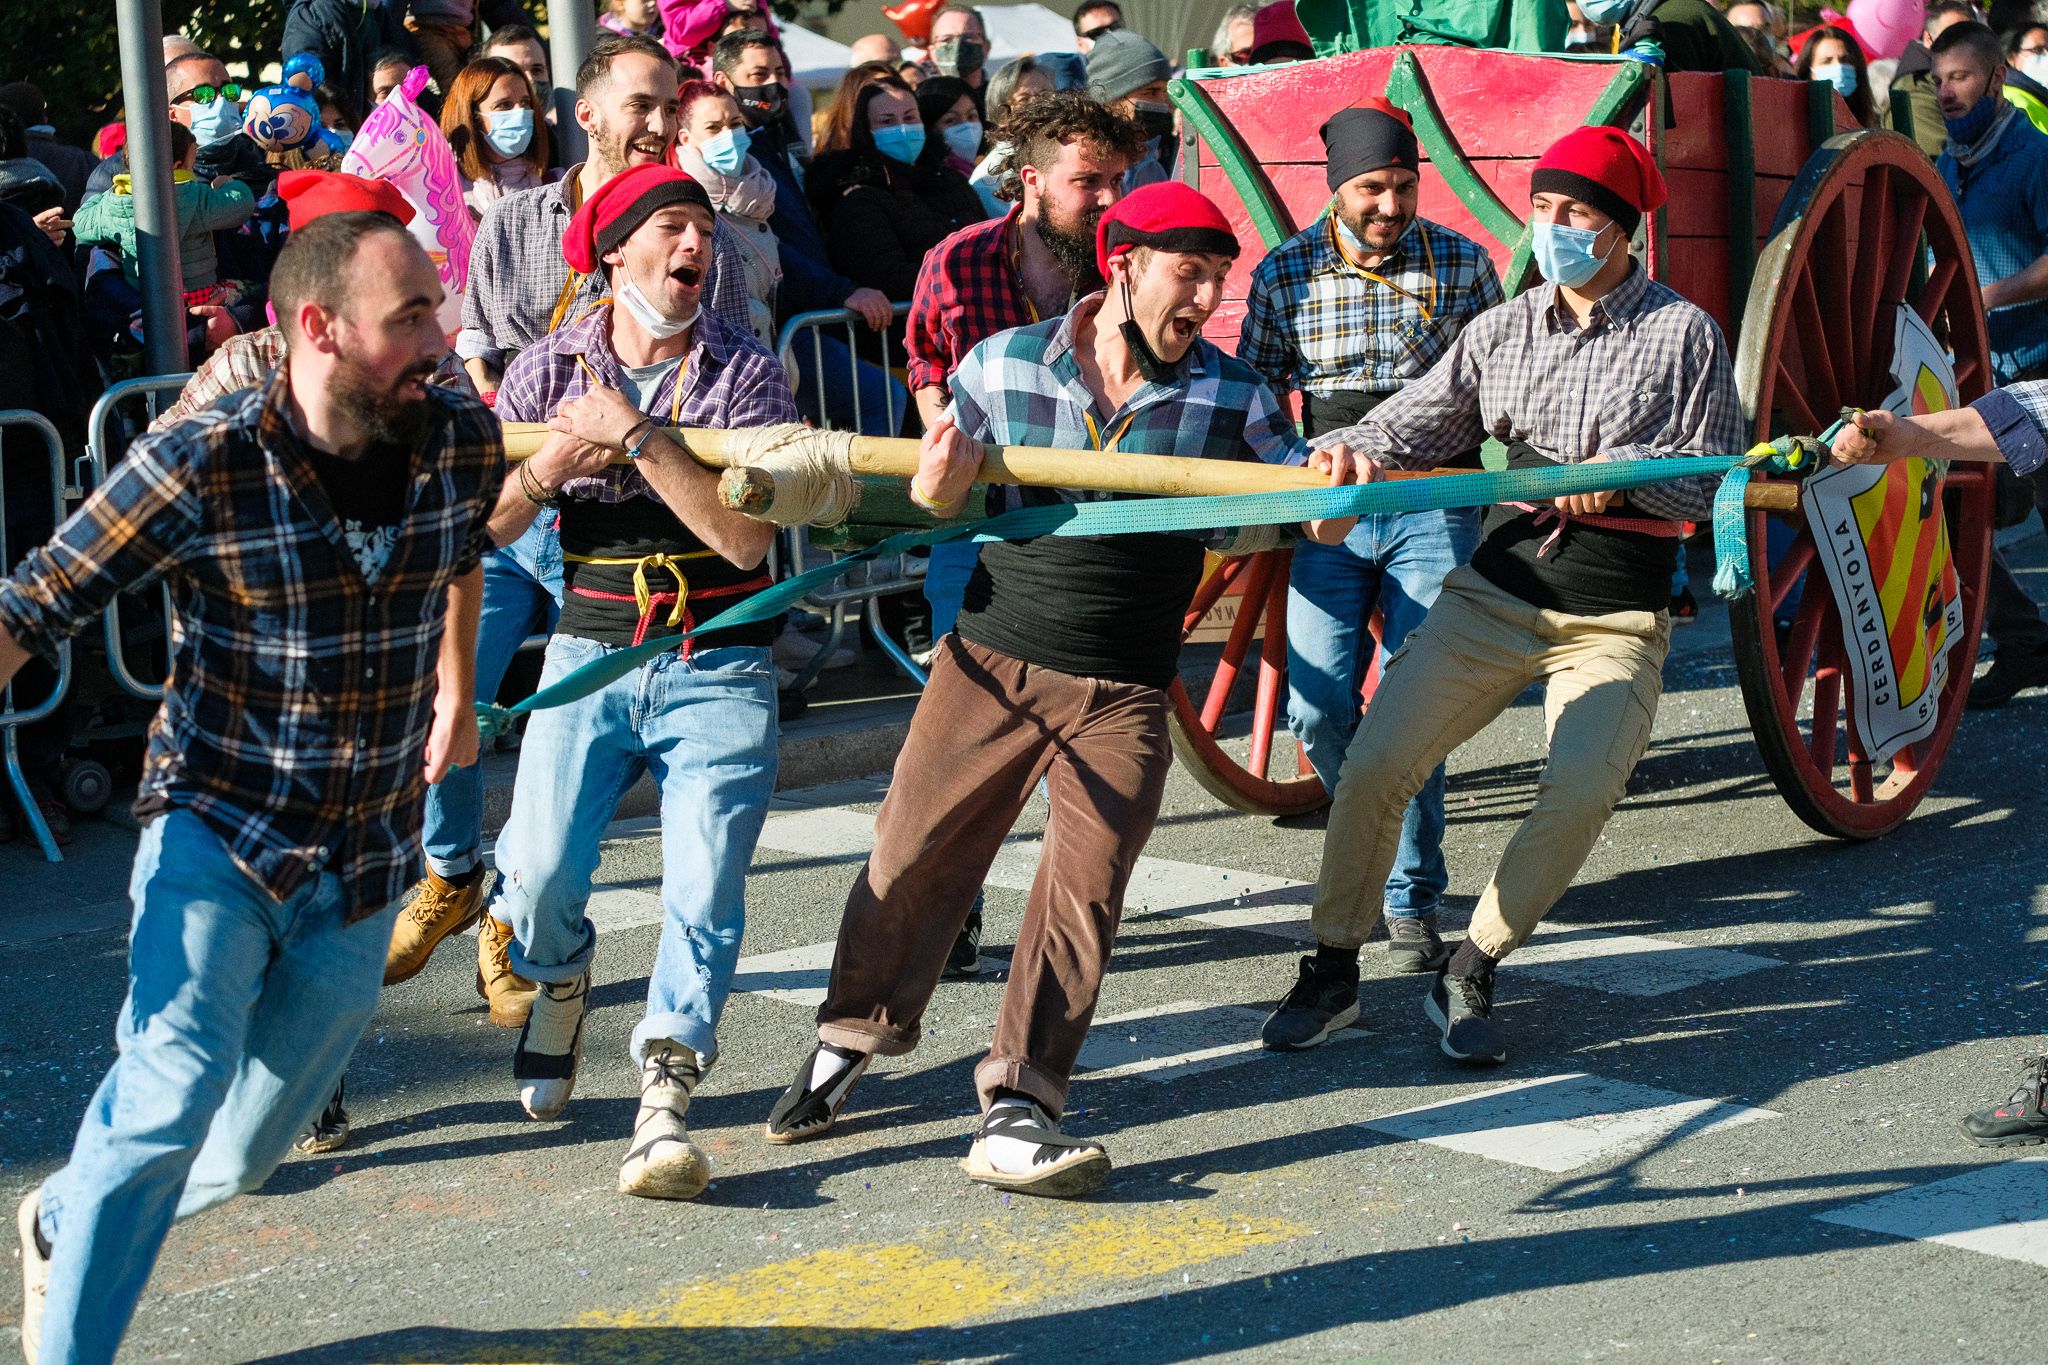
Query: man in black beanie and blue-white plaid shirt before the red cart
(1349, 312)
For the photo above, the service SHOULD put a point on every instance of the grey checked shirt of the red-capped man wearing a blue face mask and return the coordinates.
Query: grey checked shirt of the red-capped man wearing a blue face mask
(1648, 378)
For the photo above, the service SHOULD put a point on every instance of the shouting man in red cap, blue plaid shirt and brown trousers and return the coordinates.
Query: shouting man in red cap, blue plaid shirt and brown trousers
(1058, 672)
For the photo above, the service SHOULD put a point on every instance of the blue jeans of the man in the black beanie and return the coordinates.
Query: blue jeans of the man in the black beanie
(1394, 564)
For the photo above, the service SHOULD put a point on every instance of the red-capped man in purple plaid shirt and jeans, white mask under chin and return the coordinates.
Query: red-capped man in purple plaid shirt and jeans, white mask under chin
(648, 554)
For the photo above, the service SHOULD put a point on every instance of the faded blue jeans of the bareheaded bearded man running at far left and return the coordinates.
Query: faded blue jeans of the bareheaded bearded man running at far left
(239, 1022)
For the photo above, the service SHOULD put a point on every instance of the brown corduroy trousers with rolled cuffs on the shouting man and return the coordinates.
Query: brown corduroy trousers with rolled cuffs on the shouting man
(986, 732)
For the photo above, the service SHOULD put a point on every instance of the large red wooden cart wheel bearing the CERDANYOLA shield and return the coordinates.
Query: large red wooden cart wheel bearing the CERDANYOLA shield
(1869, 228)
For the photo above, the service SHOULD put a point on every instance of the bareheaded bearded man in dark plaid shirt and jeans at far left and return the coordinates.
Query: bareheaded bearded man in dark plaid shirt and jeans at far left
(321, 535)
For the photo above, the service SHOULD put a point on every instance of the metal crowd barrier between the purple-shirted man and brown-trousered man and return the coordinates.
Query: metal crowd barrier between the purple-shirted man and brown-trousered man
(794, 552)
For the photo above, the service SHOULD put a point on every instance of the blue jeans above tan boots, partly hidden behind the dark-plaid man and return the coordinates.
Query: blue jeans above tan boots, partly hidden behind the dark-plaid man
(521, 597)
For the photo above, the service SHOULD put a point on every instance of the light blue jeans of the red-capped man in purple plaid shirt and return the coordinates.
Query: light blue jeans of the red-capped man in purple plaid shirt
(708, 732)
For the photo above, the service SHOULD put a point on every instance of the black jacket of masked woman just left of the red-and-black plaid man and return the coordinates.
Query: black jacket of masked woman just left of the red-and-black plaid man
(890, 216)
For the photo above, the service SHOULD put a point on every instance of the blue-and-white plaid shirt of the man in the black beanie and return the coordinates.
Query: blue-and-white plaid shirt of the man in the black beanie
(1322, 324)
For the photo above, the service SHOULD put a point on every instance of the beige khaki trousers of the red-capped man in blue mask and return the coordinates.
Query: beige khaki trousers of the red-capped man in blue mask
(1474, 654)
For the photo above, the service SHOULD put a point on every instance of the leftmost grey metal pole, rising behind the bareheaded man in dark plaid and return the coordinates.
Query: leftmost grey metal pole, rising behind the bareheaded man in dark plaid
(148, 157)
